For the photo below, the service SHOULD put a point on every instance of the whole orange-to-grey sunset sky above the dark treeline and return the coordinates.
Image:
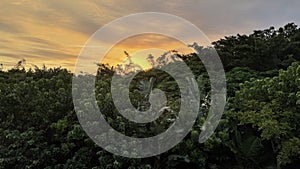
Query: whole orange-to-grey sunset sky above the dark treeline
(53, 32)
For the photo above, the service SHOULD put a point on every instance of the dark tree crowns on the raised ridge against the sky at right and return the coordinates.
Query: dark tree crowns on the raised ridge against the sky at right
(262, 50)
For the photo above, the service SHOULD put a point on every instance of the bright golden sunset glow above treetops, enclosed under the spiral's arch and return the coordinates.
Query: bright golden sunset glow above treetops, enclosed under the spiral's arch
(140, 46)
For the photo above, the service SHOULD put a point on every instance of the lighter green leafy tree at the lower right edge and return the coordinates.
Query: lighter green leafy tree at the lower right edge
(270, 107)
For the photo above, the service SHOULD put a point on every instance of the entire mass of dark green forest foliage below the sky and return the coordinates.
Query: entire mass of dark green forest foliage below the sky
(260, 128)
